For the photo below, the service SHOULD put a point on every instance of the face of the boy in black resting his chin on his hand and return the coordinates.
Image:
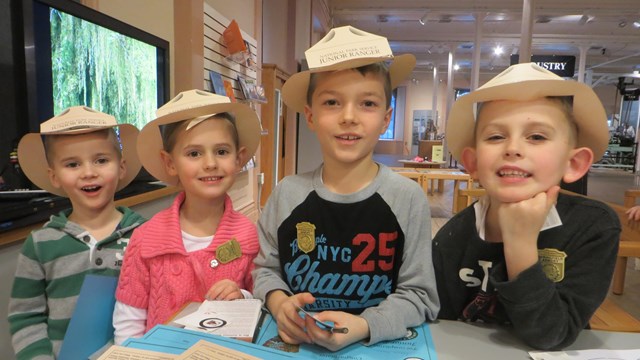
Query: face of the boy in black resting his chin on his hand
(522, 148)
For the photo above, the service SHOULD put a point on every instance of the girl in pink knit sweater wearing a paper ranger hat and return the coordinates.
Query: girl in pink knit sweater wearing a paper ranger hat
(200, 247)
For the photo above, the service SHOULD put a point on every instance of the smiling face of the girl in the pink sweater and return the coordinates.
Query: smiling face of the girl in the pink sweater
(205, 159)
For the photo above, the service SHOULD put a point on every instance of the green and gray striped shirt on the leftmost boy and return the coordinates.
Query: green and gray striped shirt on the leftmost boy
(51, 269)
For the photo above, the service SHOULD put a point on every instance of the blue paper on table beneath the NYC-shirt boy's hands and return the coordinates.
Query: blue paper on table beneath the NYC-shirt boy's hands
(418, 344)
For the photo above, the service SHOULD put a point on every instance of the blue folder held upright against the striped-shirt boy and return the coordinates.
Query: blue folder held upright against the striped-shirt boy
(91, 326)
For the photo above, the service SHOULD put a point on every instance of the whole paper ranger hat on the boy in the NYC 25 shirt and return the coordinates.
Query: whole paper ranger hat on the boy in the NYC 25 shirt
(345, 48)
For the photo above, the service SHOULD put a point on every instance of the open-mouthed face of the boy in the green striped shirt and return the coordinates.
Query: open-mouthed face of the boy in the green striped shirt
(87, 167)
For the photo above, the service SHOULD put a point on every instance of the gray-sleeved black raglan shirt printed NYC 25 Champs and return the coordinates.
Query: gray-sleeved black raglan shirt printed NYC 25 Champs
(366, 253)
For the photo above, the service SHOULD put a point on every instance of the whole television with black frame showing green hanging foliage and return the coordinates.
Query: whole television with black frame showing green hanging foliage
(75, 55)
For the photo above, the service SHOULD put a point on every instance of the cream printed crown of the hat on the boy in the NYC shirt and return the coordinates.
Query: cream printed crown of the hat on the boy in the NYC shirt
(347, 43)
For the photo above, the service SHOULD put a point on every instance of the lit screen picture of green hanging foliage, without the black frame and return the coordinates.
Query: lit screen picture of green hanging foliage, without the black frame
(103, 69)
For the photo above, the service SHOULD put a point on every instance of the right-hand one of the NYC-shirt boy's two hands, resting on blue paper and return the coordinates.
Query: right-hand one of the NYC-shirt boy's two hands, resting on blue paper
(358, 329)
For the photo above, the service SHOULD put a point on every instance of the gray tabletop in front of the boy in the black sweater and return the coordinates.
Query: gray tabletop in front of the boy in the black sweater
(460, 340)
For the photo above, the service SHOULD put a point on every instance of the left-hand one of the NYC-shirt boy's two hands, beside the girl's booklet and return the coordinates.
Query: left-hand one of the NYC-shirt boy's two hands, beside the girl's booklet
(291, 327)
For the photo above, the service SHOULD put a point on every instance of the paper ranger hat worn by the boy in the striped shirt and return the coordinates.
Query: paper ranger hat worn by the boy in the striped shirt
(74, 121)
